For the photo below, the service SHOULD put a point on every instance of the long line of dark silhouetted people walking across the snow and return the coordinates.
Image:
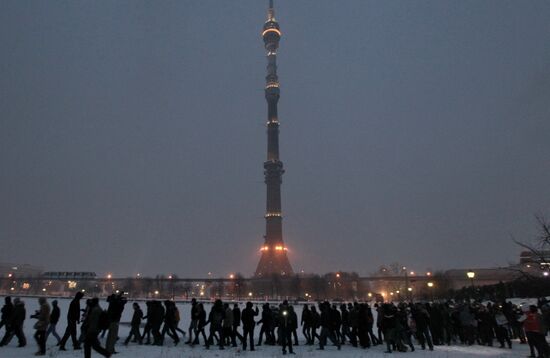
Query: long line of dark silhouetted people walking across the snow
(399, 327)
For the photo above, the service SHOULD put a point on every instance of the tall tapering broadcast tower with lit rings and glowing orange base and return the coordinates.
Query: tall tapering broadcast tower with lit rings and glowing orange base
(274, 258)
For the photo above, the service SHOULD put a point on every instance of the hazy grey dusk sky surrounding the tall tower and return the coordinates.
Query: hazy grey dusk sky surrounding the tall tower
(132, 133)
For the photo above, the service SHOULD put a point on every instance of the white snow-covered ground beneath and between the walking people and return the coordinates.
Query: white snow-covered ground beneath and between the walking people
(182, 350)
